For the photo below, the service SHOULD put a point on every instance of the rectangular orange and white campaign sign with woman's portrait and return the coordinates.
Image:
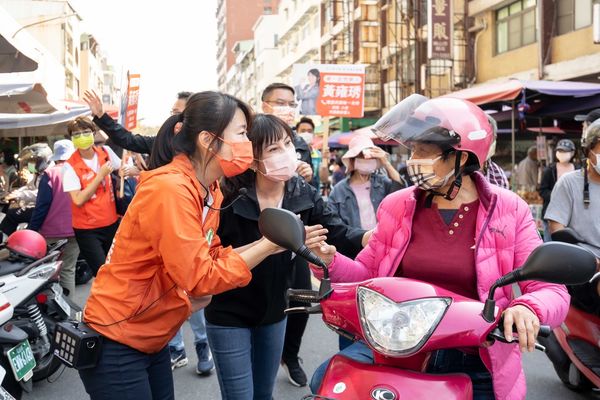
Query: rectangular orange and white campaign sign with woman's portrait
(330, 90)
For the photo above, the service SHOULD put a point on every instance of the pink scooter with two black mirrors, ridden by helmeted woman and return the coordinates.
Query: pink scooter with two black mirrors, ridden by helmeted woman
(403, 320)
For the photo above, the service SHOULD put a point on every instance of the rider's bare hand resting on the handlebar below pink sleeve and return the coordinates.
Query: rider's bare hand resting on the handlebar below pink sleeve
(527, 324)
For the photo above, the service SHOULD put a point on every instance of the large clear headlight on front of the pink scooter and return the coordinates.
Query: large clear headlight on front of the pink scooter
(398, 328)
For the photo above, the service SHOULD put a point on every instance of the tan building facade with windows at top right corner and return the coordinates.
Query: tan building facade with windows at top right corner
(534, 39)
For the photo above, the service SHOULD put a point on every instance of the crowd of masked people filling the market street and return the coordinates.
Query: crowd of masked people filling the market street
(168, 225)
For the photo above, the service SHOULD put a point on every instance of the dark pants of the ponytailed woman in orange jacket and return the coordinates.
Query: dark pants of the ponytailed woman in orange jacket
(126, 373)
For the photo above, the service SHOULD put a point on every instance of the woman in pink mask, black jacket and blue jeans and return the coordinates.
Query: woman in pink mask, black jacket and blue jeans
(246, 326)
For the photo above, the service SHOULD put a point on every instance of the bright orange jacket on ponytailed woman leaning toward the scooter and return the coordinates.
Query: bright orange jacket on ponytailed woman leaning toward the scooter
(162, 253)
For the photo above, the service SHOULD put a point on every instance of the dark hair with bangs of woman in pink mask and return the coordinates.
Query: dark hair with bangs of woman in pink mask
(266, 130)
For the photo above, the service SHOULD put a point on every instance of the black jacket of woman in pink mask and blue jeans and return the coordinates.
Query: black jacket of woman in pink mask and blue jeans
(263, 301)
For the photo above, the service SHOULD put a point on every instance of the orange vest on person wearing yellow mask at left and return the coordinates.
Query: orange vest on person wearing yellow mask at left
(100, 210)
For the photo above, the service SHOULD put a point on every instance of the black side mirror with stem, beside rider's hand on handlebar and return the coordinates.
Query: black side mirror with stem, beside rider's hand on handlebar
(552, 262)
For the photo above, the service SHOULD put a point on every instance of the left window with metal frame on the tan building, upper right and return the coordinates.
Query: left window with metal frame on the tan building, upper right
(515, 25)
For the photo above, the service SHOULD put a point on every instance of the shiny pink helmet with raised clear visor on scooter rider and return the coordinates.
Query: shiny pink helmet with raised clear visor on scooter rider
(446, 122)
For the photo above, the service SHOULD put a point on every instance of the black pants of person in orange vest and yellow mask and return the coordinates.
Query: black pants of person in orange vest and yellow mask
(94, 244)
